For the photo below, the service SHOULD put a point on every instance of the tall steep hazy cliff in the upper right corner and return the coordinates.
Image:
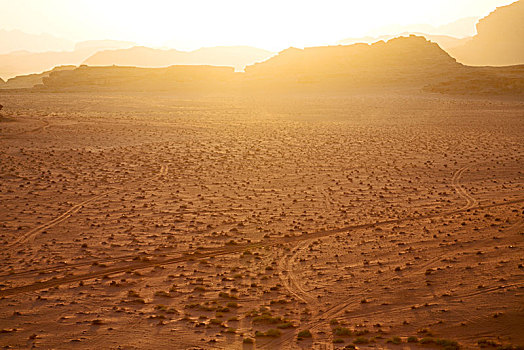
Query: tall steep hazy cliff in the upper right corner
(500, 39)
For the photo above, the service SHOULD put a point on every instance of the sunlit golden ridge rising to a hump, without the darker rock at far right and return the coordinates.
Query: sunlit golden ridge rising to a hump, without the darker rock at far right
(412, 60)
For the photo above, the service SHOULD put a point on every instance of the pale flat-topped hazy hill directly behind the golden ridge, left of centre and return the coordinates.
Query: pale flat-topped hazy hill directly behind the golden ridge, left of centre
(233, 56)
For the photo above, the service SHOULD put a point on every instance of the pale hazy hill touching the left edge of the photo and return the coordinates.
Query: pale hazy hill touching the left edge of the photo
(23, 62)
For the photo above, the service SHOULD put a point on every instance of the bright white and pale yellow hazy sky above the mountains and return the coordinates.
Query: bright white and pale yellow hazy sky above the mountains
(271, 24)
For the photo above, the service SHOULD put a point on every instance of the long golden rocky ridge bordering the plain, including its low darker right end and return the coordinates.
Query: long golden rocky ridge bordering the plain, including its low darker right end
(401, 63)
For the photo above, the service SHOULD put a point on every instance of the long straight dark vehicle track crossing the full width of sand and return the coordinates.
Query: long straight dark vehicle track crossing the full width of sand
(153, 259)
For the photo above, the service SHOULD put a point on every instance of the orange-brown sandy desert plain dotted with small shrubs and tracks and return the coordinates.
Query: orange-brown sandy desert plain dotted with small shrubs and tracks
(154, 221)
